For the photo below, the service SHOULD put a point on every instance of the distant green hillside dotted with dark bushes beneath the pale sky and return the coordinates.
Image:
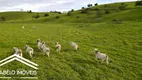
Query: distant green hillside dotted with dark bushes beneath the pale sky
(126, 11)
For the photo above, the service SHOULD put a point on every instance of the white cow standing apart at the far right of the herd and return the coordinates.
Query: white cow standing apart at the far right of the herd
(101, 56)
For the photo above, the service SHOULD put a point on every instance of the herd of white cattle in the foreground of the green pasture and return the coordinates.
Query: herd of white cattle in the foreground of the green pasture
(42, 47)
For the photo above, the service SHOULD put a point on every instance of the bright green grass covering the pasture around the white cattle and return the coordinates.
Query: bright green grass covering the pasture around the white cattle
(121, 42)
